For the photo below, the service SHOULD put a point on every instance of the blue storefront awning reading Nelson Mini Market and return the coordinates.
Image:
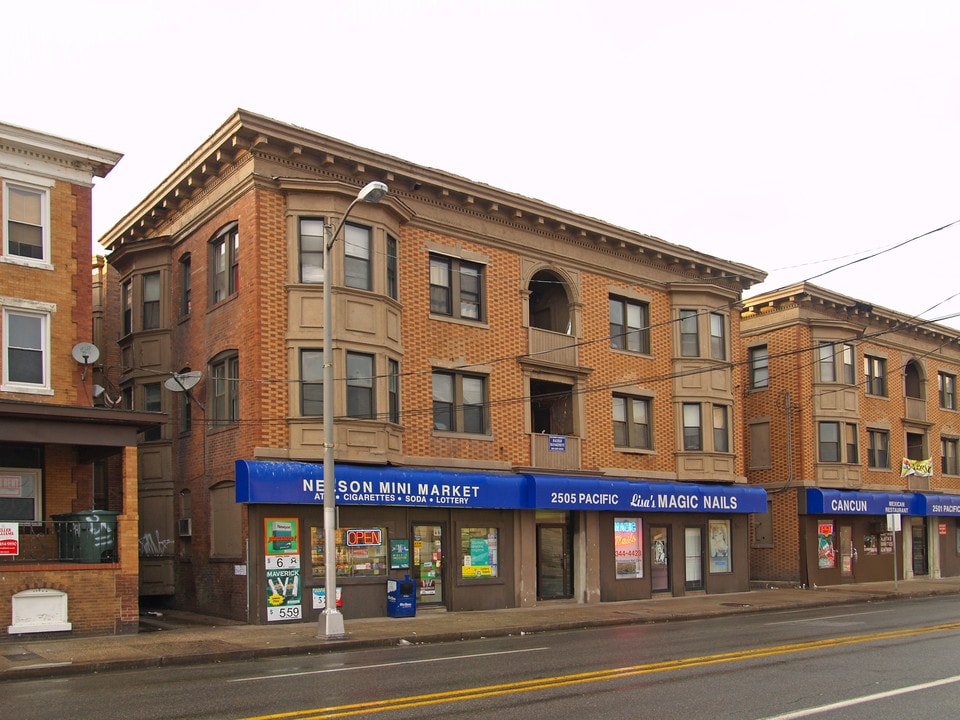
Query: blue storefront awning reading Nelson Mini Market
(261, 481)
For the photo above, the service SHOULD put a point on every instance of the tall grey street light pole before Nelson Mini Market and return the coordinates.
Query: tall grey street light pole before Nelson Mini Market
(332, 627)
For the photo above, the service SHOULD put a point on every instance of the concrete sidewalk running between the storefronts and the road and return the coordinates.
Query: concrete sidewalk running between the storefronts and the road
(182, 639)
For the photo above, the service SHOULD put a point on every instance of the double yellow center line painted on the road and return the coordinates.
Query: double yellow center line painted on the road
(376, 706)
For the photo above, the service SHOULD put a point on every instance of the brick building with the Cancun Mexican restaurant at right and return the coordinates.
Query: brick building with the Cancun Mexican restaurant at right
(850, 415)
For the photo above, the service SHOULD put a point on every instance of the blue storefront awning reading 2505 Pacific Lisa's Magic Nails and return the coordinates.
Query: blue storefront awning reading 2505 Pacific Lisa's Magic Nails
(586, 493)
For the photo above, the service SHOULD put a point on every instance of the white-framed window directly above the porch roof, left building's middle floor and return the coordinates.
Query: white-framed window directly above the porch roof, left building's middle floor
(26, 343)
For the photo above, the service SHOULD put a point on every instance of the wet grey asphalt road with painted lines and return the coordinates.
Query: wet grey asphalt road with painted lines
(873, 660)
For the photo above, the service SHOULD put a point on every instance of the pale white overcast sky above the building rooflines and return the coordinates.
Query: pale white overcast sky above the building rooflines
(791, 136)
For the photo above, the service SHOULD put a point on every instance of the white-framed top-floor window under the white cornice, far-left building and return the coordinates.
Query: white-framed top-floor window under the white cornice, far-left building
(26, 223)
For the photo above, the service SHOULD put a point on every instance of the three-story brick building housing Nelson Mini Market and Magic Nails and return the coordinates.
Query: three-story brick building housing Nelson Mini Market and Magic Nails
(529, 404)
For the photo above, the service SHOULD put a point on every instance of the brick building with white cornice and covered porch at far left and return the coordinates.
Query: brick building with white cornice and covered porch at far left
(68, 524)
